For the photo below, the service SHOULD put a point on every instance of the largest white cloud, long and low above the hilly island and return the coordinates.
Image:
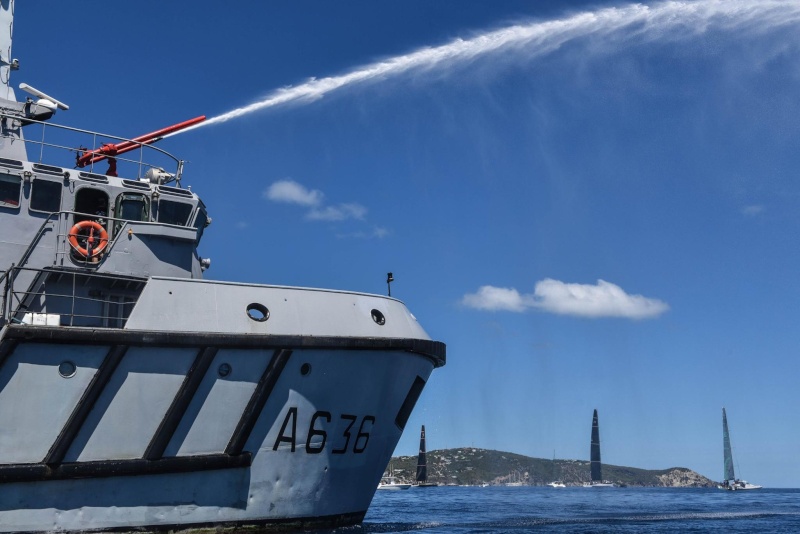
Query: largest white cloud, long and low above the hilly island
(582, 300)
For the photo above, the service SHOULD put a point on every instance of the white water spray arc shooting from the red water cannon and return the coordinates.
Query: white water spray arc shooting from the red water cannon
(663, 21)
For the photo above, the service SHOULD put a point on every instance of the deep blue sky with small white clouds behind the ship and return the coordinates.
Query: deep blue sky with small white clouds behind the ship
(592, 207)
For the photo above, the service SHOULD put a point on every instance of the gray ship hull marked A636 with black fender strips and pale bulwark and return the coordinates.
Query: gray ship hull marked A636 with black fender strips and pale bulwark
(115, 429)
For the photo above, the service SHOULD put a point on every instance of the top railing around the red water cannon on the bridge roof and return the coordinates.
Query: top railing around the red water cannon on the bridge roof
(60, 141)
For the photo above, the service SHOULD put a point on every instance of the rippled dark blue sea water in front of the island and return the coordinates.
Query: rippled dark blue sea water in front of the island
(576, 509)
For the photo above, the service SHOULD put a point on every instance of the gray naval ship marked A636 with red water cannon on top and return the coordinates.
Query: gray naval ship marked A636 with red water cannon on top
(137, 396)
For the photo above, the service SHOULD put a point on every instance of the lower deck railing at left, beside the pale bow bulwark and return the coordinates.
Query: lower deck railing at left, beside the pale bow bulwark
(68, 297)
